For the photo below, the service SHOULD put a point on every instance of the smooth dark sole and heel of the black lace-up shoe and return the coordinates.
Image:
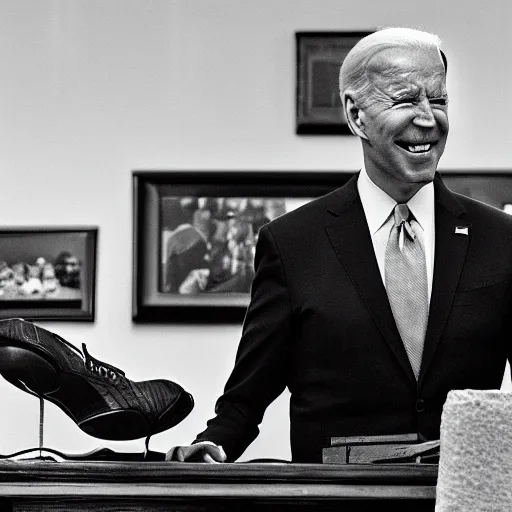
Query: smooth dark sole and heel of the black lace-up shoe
(41, 376)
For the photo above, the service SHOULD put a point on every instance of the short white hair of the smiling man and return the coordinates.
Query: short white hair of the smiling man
(353, 72)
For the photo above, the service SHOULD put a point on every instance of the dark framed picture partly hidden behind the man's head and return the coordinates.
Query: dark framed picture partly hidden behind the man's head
(319, 58)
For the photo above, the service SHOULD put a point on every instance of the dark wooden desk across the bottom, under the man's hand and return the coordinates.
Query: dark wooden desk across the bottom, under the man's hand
(164, 486)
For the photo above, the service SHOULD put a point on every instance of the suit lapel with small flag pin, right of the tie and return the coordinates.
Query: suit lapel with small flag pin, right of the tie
(450, 254)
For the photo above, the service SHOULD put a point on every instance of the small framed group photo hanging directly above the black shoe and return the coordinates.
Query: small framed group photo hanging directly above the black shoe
(48, 273)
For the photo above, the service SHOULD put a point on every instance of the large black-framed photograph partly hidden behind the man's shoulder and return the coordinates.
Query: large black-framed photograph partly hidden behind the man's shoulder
(195, 234)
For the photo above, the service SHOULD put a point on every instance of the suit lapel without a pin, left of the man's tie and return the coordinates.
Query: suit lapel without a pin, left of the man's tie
(350, 238)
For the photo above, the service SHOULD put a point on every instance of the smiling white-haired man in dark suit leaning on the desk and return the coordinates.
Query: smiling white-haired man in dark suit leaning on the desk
(374, 301)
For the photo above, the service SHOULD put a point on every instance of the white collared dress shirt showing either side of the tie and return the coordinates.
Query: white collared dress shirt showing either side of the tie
(378, 208)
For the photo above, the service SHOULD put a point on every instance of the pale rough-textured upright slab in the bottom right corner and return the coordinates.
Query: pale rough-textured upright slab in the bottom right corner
(475, 465)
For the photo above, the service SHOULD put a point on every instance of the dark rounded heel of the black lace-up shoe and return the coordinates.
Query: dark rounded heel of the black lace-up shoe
(37, 373)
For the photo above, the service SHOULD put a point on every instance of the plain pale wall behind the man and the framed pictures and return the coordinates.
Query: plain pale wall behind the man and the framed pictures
(92, 89)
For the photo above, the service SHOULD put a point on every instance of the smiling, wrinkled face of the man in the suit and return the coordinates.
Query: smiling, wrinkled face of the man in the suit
(406, 119)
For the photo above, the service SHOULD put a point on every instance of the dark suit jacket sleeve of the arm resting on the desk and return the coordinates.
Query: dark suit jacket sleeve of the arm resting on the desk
(260, 371)
